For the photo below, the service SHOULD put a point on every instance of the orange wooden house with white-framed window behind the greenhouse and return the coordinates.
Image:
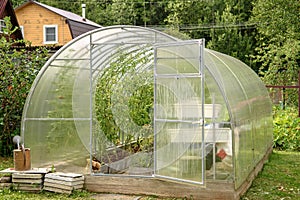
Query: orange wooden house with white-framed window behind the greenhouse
(45, 25)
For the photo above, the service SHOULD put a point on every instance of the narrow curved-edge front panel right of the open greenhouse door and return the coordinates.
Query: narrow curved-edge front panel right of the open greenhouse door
(219, 162)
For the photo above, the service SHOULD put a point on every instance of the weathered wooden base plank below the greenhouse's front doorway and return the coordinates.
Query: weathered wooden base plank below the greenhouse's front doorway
(219, 190)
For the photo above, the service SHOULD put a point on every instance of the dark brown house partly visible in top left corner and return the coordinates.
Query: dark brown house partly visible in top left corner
(6, 10)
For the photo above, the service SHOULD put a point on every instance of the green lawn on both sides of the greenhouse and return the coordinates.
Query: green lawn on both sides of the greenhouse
(279, 179)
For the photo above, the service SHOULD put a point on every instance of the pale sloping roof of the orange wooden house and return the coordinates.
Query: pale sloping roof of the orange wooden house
(63, 13)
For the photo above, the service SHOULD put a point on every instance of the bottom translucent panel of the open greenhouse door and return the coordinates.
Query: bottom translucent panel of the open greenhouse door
(179, 151)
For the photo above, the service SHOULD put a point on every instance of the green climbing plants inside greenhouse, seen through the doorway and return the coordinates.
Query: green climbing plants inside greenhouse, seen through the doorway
(124, 98)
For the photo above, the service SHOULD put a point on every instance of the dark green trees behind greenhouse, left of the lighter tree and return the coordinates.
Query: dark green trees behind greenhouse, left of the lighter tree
(226, 30)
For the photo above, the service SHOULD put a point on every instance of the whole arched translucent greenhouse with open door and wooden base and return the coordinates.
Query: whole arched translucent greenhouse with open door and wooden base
(125, 103)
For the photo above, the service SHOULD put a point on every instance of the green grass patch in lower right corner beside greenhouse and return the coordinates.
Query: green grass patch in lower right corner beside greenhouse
(279, 179)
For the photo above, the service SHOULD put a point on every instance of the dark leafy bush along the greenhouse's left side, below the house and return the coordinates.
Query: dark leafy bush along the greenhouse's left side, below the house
(18, 70)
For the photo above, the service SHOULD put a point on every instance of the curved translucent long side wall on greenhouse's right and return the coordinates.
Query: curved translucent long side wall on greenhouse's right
(249, 107)
